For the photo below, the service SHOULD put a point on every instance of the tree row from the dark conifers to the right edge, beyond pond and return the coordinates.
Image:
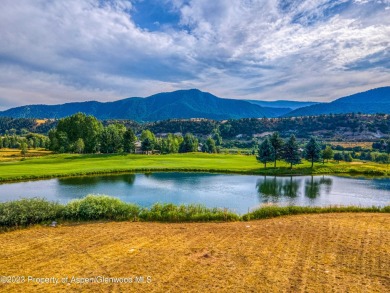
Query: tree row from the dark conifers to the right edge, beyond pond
(274, 148)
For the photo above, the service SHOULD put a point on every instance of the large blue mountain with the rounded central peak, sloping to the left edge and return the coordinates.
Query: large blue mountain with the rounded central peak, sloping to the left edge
(178, 104)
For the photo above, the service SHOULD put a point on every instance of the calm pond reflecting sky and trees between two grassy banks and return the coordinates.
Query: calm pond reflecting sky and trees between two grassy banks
(239, 193)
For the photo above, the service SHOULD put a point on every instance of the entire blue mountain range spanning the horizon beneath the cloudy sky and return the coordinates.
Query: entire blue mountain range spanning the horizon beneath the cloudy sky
(197, 104)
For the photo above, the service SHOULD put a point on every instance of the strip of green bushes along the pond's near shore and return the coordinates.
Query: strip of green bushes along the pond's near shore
(27, 212)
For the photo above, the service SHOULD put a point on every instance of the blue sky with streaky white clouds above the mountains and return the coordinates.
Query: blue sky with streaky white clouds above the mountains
(63, 51)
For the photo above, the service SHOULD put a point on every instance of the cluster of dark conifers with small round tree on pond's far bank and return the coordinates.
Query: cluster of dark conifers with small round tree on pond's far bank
(275, 148)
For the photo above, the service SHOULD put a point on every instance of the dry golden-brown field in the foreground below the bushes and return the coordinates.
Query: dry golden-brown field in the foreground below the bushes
(308, 253)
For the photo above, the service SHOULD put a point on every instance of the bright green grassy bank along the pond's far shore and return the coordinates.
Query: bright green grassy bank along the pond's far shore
(76, 165)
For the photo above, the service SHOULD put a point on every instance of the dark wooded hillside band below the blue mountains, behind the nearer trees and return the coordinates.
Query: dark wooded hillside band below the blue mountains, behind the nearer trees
(330, 127)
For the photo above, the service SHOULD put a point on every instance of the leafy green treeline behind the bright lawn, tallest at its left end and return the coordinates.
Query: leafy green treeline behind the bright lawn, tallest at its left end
(80, 133)
